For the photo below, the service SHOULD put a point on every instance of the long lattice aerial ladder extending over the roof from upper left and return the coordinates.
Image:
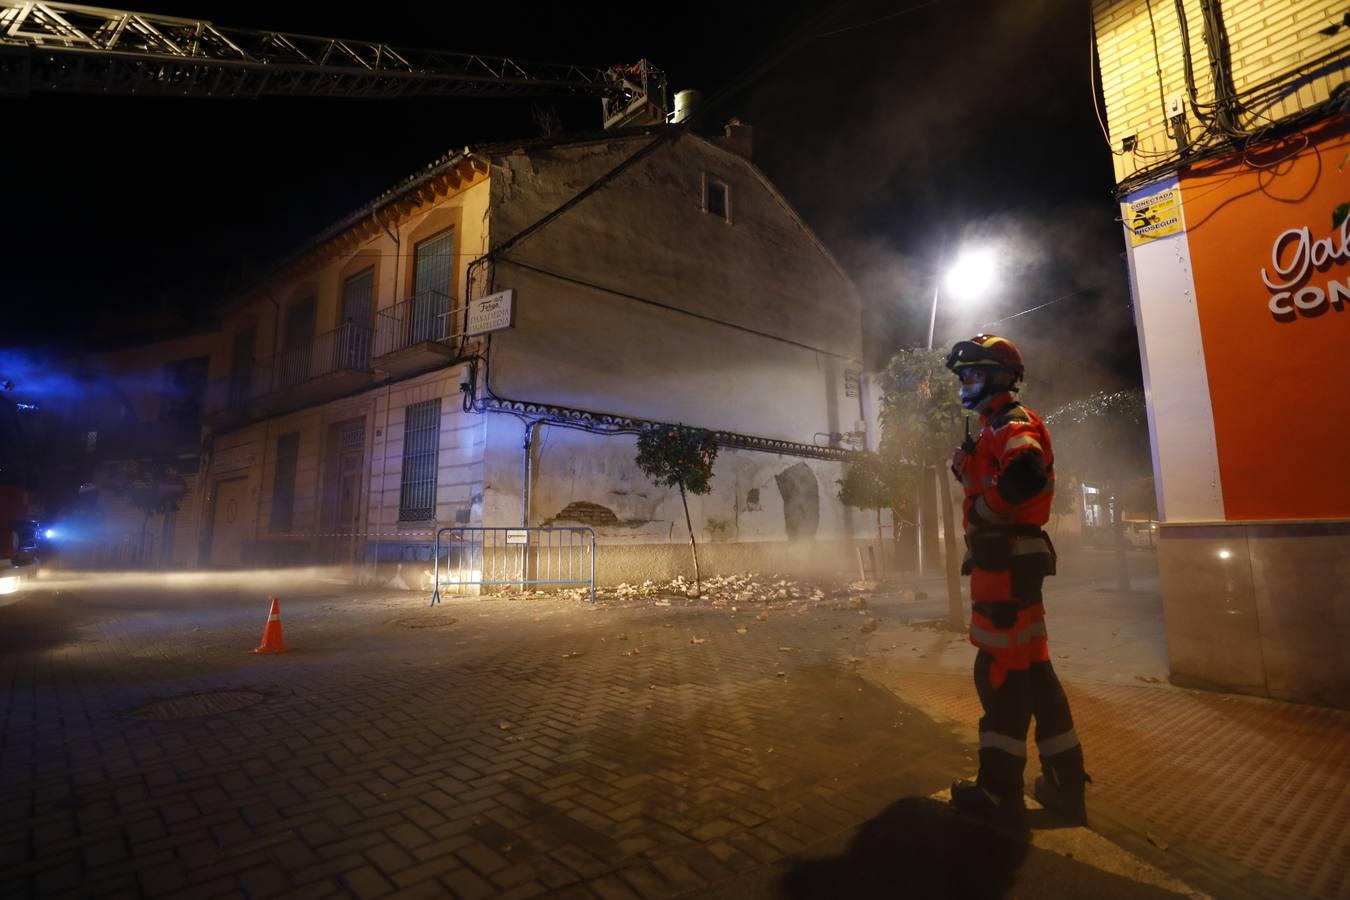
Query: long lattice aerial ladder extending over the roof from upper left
(75, 49)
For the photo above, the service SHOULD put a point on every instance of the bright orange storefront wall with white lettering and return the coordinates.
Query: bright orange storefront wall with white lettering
(1279, 381)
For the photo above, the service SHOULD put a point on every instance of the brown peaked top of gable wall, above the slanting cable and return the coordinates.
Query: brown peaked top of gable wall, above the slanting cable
(647, 231)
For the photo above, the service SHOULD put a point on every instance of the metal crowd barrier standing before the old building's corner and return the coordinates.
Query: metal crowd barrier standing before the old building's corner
(515, 557)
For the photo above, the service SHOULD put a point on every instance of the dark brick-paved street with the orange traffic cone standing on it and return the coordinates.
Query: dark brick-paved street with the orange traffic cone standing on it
(507, 750)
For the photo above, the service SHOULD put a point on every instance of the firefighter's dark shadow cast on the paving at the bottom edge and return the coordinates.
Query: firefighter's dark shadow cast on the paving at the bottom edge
(916, 848)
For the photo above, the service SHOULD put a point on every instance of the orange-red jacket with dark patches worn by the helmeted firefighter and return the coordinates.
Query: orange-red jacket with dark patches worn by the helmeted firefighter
(1010, 477)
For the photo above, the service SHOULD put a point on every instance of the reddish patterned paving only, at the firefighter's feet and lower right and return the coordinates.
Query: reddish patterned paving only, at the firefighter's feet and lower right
(1236, 789)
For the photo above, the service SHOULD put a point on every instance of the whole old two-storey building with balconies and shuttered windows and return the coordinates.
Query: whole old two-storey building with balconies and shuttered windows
(357, 401)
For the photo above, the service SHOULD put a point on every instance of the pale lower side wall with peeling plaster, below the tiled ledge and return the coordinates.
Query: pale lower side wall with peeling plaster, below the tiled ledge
(766, 512)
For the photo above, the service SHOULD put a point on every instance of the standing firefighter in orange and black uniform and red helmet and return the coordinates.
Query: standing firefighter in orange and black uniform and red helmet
(1009, 482)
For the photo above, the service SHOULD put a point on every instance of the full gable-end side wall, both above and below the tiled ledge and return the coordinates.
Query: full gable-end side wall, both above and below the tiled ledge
(638, 303)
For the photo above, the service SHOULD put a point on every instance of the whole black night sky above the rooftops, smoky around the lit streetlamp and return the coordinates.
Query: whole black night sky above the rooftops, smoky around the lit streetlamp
(894, 136)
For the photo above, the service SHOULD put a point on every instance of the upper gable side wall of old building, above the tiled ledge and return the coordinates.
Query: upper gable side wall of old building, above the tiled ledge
(774, 325)
